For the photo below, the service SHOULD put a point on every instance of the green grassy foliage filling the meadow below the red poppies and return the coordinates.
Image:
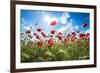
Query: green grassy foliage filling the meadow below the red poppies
(55, 53)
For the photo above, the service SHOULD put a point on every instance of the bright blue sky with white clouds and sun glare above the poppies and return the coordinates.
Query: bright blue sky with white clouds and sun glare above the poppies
(66, 21)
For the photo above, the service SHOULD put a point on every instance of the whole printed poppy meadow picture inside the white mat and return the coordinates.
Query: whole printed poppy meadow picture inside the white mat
(62, 37)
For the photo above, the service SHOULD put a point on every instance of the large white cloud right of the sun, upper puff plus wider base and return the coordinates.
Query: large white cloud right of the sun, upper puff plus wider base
(68, 25)
